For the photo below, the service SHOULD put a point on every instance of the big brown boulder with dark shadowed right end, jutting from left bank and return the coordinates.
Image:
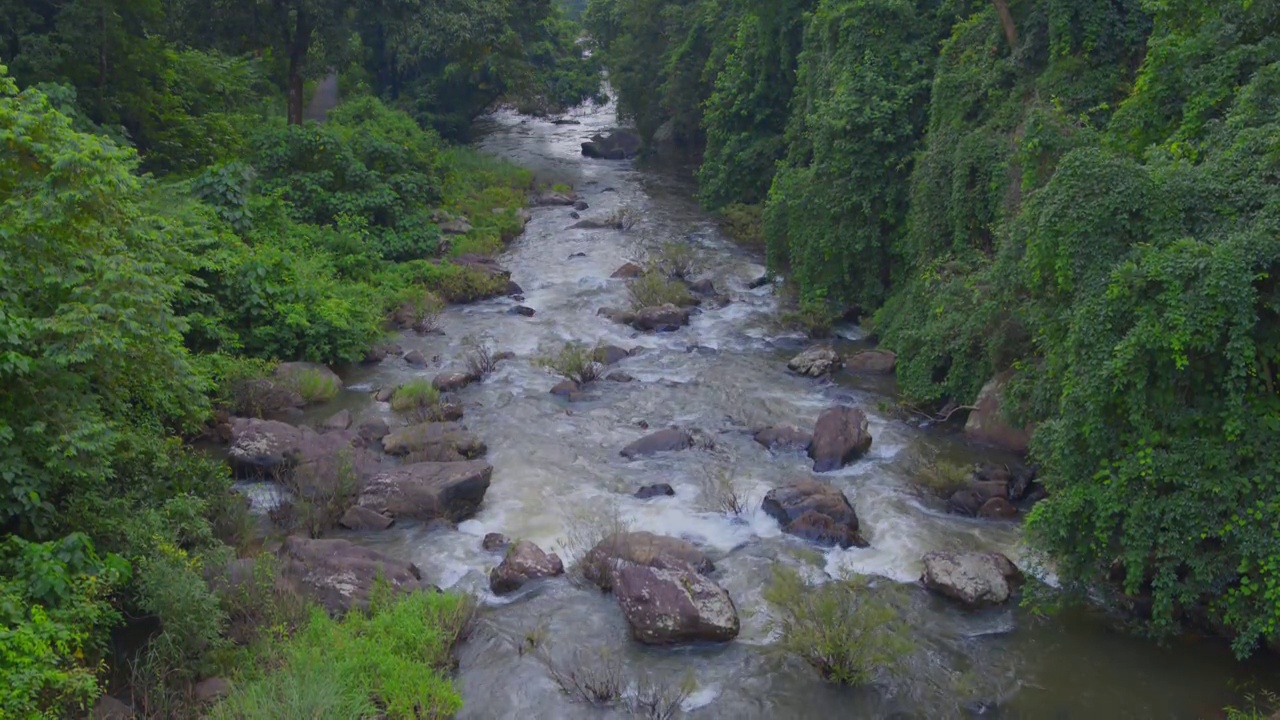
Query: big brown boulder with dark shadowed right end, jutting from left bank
(426, 491)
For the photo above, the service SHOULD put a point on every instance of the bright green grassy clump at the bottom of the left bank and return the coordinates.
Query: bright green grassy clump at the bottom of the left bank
(390, 663)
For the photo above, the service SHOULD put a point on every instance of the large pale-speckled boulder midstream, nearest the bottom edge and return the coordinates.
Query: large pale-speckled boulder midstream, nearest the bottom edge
(673, 604)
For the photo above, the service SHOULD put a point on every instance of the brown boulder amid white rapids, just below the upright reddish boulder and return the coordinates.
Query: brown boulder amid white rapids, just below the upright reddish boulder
(815, 512)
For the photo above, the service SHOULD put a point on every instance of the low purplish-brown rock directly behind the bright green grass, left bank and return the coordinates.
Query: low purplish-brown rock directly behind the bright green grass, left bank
(340, 576)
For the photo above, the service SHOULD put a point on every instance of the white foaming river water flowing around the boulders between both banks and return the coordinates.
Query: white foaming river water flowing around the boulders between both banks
(557, 472)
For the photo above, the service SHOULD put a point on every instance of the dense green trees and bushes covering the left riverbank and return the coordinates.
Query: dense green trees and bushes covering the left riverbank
(171, 230)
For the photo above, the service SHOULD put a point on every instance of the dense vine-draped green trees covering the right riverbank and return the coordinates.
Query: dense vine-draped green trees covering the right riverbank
(1078, 198)
